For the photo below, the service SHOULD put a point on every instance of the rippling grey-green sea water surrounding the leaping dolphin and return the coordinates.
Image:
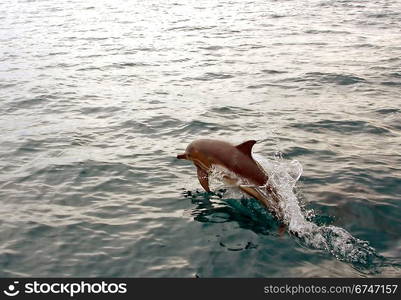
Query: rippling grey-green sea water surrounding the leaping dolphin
(98, 97)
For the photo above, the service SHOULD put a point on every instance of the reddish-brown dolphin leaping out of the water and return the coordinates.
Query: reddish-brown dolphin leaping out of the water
(235, 160)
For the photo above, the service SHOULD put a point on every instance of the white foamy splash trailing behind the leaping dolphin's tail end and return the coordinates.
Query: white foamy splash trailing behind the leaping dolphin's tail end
(283, 175)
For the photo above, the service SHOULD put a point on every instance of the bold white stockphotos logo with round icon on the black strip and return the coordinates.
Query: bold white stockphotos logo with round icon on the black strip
(71, 289)
